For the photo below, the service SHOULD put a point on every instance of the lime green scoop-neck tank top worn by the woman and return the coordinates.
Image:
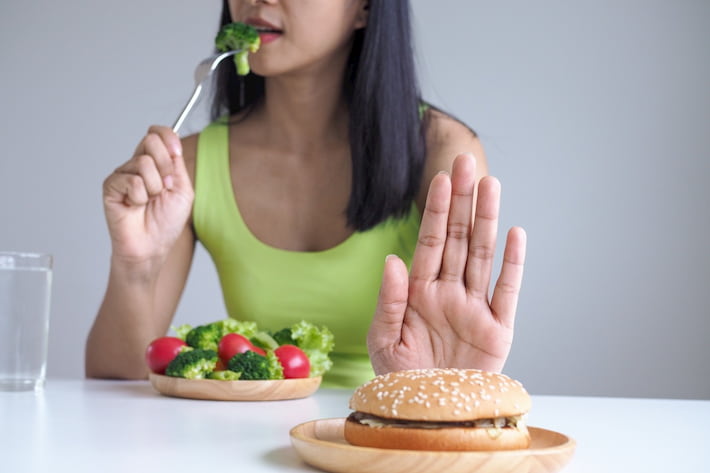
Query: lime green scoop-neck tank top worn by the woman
(337, 287)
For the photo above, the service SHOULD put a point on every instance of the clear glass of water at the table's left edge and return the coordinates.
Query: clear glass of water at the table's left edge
(25, 289)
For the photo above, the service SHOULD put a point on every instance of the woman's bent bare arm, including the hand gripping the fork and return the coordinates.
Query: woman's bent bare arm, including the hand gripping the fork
(147, 202)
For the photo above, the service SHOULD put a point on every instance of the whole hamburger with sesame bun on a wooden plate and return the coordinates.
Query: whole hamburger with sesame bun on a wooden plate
(439, 409)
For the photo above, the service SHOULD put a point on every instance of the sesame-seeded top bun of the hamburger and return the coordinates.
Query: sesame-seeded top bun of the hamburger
(441, 394)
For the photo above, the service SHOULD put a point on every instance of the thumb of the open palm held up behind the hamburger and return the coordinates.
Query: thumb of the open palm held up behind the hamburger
(386, 327)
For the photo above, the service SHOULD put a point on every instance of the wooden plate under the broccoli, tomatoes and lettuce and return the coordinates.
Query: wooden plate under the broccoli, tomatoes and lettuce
(216, 390)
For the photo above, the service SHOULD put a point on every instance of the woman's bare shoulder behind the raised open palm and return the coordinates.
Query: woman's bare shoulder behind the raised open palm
(446, 138)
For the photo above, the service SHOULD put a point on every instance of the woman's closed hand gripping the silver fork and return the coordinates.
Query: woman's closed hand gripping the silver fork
(147, 200)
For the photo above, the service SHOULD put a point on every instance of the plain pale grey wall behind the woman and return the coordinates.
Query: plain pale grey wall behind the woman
(595, 116)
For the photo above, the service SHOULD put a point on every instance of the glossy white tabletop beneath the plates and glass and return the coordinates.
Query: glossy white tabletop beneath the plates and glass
(117, 426)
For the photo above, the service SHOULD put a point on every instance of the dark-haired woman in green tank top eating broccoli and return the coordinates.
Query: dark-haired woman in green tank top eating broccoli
(325, 168)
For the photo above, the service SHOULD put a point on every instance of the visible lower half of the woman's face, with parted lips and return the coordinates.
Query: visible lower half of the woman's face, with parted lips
(299, 34)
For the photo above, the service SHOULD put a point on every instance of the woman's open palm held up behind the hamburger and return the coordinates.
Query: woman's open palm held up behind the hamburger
(441, 315)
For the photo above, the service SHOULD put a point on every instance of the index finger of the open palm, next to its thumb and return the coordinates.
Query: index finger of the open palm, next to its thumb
(426, 262)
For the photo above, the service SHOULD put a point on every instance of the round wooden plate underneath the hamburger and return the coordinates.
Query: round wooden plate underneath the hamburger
(320, 443)
